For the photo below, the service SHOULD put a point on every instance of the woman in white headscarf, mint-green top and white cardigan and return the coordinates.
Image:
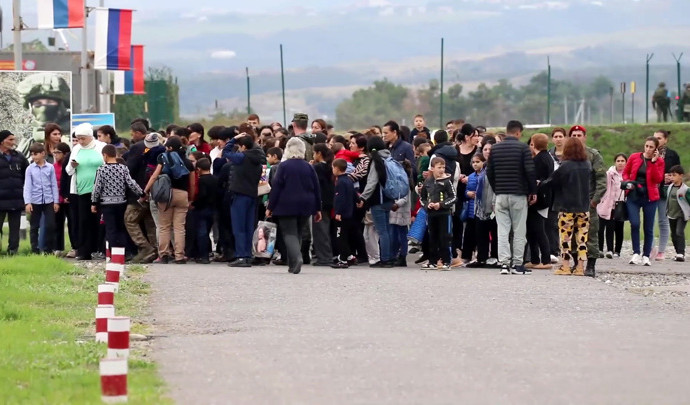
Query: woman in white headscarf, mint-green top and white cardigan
(85, 159)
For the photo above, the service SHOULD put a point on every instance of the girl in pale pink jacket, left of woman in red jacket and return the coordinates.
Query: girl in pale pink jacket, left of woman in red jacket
(607, 225)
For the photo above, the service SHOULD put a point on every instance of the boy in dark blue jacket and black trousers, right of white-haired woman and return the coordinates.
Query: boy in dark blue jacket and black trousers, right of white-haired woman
(344, 205)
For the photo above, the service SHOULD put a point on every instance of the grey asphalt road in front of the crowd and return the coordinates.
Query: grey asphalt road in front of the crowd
(404, 336)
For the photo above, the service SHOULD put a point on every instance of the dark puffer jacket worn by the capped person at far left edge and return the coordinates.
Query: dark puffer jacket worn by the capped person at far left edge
(12, 181)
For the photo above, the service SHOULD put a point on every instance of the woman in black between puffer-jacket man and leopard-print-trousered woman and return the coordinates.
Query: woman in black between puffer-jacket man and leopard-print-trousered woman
(540, 252)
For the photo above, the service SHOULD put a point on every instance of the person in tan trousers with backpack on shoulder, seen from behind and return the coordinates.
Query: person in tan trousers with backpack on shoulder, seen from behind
(172, 188)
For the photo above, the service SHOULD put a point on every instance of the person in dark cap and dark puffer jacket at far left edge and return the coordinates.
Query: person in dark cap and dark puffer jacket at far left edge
(12, 168)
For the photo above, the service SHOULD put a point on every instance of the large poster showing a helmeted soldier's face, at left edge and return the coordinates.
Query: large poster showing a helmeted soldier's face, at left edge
(30, 100)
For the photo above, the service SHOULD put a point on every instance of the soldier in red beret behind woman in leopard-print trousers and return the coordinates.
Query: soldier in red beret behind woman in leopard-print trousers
(597, 188)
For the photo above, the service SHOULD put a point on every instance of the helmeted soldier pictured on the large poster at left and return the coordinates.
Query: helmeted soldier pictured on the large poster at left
(48, 97)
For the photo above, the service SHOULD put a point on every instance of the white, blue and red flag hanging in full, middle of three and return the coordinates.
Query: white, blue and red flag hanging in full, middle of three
(113, 39)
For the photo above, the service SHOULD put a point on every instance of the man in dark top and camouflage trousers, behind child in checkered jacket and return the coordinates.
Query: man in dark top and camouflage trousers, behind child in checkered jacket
(138, 214)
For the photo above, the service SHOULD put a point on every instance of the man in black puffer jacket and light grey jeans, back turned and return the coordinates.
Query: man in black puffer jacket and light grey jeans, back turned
(510, 171)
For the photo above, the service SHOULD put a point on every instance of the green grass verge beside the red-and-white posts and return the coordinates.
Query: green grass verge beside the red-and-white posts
(46, 334)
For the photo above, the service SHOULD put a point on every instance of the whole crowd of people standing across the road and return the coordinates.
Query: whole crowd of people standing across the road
(463, 197)
